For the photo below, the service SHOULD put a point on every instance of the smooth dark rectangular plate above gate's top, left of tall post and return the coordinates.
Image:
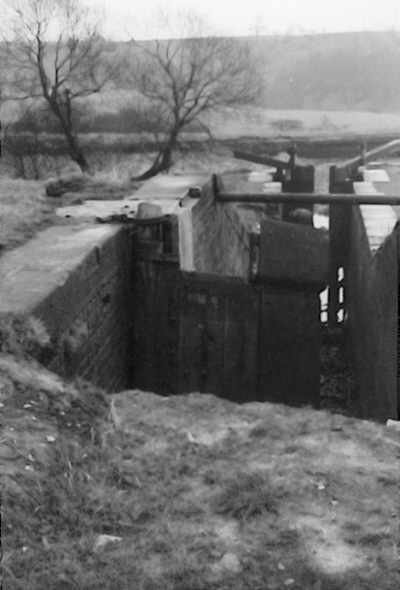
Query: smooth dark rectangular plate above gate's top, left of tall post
(293, 253)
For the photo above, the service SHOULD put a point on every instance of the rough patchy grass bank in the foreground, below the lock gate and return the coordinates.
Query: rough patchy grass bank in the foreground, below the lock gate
(199, 493)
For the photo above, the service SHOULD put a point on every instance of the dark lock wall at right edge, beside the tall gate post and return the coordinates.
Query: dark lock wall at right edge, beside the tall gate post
(371, 296)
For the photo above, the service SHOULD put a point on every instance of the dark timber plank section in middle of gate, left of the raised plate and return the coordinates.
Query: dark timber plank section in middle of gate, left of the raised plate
(219, 331)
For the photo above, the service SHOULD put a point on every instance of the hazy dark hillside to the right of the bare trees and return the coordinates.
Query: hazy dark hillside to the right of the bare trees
(344, 71)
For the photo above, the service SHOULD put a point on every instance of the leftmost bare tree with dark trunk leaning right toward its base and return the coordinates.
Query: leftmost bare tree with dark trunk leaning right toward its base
(55, 53)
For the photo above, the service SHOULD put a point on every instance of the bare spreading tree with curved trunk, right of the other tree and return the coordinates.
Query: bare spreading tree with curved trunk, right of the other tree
(180, 81)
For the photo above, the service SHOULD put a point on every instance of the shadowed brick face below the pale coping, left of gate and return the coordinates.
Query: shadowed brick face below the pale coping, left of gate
(93, 337)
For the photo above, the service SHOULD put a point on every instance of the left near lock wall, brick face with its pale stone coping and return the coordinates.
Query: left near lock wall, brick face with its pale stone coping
(77, 280)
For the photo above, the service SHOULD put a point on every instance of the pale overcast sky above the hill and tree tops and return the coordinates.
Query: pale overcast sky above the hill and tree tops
(127, 18)
